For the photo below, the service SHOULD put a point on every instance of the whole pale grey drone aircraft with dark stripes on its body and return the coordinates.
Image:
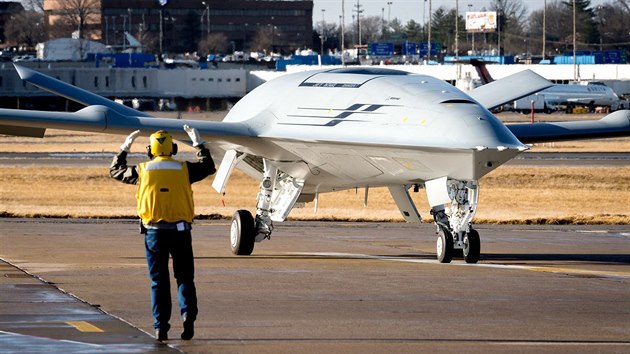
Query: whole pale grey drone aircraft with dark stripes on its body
(327, 130)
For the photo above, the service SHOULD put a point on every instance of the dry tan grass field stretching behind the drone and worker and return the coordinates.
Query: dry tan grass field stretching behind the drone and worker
(510, 194)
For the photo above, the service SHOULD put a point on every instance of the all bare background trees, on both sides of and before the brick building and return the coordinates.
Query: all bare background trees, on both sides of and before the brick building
(603, 27)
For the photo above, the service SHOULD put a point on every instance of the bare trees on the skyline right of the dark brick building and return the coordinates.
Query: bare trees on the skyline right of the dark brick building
(604, 27)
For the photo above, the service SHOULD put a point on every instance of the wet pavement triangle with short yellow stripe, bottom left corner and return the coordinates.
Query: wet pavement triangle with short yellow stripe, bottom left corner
(37, 317)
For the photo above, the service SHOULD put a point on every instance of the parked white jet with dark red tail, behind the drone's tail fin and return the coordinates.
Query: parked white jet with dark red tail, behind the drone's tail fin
(583, 93)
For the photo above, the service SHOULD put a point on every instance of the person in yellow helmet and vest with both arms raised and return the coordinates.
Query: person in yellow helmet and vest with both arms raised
(166, 210)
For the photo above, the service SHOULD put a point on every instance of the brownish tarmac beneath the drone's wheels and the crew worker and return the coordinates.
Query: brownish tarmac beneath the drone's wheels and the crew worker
(332, 287)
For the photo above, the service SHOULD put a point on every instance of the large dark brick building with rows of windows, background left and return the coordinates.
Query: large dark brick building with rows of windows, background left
(178, 26)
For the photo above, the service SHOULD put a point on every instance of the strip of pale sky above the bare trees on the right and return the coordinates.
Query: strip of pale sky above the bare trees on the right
(405, 10)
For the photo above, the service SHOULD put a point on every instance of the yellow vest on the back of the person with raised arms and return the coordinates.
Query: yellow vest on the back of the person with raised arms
(164, 192)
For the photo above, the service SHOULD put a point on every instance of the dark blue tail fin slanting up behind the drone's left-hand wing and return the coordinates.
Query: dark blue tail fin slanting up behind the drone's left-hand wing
(73, 93)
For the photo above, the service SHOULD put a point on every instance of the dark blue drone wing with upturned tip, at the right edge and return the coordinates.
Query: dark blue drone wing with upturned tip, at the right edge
(616, 124)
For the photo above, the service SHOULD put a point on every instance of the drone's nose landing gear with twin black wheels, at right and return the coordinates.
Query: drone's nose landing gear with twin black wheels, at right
(455, 234)
